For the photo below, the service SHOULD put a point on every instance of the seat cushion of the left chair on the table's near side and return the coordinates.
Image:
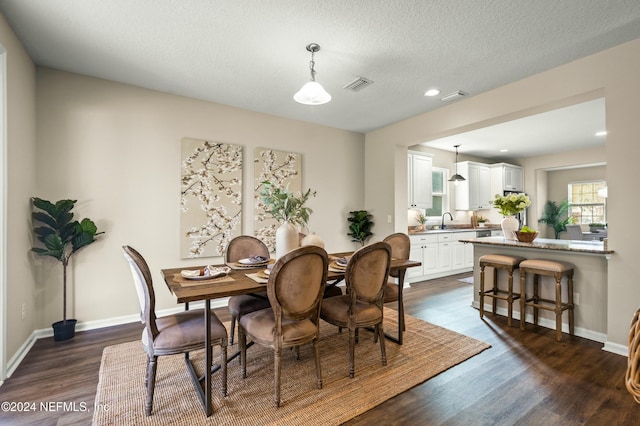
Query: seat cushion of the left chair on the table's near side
(261, 325)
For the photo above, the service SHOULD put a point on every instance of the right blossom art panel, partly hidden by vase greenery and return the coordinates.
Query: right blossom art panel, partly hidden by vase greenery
(281, 169)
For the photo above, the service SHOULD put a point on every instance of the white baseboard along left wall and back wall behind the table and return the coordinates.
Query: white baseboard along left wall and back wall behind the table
(16, 359)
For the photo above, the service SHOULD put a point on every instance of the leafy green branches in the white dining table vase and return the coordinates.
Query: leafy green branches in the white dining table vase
(284, 206)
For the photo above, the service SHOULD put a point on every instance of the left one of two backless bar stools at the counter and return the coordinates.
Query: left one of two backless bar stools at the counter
(507, 263)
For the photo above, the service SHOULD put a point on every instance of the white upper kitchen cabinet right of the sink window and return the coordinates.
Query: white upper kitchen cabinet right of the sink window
(473, 193)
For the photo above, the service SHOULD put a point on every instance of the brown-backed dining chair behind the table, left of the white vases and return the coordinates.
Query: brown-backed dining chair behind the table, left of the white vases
(242, 247)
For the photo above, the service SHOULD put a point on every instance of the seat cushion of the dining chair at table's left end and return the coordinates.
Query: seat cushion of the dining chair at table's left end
(183, 331)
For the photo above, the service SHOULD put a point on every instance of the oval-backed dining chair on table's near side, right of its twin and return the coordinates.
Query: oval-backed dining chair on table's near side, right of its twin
(362, 306)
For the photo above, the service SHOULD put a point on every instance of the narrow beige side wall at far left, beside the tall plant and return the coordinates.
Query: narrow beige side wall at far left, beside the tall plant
(20, 185)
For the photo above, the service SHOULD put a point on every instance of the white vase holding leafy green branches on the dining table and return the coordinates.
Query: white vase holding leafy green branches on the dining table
(289, 210)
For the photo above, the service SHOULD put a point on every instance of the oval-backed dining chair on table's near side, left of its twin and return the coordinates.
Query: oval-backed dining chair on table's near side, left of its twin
(295, 289)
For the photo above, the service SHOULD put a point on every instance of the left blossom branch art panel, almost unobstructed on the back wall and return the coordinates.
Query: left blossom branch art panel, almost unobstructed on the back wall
(211, 197)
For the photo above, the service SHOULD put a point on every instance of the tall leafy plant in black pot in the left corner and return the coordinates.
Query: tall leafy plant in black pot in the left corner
(62, 237)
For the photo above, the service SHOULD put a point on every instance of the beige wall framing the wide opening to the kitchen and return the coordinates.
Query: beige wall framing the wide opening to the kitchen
(613, 74)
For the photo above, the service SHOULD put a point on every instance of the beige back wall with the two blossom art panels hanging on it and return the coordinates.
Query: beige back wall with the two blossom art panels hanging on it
(116, 149)
